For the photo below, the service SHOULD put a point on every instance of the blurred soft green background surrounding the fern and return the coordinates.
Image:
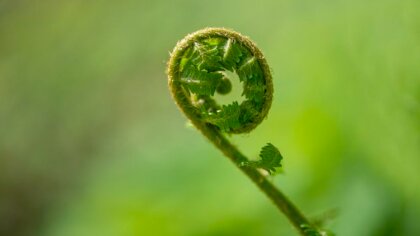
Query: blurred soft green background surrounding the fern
(91, 142)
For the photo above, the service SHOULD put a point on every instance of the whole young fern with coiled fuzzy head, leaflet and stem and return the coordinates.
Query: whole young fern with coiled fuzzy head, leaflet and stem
(196, 71)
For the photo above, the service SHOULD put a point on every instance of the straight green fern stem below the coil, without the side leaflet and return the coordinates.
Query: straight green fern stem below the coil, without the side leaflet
(277, 197)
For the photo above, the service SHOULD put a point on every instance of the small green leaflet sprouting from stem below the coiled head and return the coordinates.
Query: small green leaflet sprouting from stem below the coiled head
(270, 159)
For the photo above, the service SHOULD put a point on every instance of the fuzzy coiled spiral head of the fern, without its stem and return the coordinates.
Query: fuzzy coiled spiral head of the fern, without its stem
(197, 71)
